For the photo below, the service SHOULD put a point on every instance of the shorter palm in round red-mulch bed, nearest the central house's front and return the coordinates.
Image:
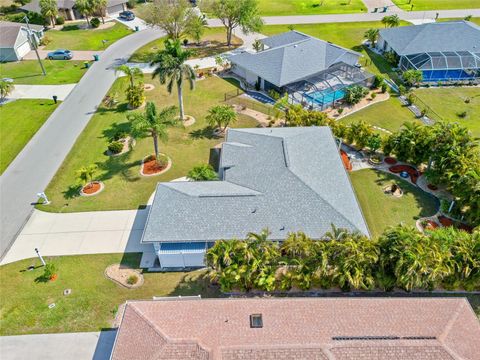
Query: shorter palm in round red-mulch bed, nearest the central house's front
(153, 123)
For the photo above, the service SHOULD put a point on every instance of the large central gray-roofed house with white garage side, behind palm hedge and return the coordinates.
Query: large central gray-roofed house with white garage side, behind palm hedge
(283, 179)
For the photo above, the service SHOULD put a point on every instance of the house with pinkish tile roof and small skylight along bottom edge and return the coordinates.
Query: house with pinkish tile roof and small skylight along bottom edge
(298, 328)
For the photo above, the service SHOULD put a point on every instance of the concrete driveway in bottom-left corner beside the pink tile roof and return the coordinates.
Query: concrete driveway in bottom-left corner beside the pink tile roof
(71, 346)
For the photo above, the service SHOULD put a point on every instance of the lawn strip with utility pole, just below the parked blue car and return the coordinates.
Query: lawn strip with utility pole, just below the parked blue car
(29, 72)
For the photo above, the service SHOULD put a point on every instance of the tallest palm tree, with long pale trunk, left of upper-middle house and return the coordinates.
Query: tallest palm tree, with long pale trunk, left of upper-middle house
(171, 69)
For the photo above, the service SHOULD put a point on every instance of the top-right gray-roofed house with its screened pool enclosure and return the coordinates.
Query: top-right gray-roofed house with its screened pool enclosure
(443, 51)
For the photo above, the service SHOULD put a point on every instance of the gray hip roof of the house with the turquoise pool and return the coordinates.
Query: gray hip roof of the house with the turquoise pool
(295, 60)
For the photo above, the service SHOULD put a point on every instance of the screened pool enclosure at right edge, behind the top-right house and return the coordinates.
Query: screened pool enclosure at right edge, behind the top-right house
(444, 66)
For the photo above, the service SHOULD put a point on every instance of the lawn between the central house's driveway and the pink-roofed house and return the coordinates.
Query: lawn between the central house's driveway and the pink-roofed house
(94, 299)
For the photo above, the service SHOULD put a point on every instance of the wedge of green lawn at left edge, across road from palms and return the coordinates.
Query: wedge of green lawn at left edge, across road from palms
(19, 121)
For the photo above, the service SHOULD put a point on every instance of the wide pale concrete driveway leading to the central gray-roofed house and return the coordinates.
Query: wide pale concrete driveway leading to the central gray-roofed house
(97, 232)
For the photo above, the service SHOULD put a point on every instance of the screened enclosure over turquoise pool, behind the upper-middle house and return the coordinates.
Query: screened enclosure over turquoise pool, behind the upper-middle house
(325, 89)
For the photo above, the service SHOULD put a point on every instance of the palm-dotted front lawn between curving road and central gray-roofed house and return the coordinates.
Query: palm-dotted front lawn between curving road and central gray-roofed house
(125, 188)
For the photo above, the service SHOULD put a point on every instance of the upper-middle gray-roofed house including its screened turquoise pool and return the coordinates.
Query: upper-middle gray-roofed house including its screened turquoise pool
(313, 72)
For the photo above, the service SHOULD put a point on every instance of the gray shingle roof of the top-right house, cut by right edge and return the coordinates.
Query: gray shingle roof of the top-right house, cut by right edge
(434, 37)
